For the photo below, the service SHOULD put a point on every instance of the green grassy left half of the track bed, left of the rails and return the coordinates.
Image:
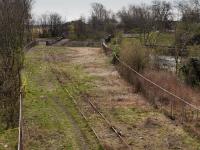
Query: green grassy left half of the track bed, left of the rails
(51, 117)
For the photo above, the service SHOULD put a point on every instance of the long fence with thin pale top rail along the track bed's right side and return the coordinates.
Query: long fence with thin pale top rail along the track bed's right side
(176, 107)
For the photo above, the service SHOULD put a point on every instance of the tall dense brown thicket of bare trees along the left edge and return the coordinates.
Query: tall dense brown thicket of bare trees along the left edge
(14, 19)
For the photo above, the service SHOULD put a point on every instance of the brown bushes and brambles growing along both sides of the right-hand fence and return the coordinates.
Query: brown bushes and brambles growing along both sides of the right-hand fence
(137, 57)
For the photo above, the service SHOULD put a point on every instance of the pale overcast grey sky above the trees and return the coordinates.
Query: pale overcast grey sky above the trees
(73, 9)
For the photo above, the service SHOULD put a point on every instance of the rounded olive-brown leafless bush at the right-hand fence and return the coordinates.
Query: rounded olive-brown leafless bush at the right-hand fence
(136, 56)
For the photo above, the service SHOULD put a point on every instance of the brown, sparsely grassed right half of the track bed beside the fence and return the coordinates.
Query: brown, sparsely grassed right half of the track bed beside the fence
(140, 125)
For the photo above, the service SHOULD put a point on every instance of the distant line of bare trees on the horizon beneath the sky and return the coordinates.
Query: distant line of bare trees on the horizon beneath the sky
(144, 18)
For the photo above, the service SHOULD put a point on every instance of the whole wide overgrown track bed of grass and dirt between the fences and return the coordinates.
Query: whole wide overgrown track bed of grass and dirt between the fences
(86, 73)
